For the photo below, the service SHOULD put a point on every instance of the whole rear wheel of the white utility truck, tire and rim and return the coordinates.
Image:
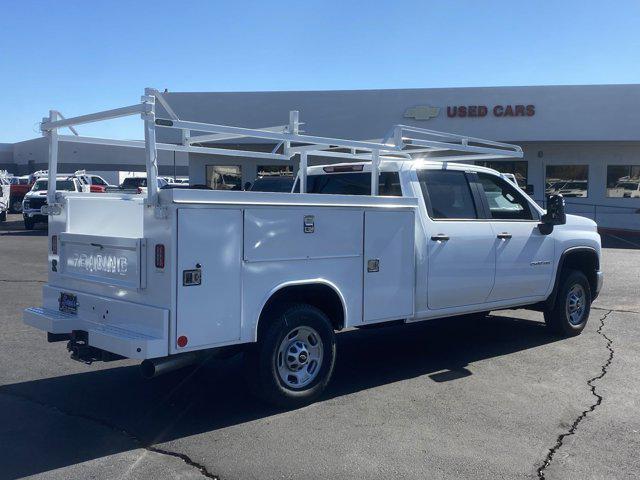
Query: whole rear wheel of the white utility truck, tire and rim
(293, 362)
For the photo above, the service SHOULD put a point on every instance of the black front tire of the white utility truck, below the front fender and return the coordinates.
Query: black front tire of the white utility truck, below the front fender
(558, 318)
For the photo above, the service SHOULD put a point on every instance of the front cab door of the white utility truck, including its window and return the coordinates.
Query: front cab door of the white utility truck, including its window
(524, 256)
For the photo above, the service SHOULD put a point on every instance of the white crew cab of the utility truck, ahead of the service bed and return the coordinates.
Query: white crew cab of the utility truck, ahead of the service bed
(481, 241)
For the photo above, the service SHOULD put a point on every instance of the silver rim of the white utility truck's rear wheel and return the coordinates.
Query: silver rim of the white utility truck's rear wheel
(299, 357)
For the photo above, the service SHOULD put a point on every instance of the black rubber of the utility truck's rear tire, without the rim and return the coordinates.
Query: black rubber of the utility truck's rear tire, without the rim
(261, 360)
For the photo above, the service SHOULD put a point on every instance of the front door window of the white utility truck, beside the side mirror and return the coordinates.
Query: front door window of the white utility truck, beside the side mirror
(504, 201)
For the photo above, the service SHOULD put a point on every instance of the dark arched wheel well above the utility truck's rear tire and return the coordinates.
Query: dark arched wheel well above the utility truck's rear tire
(319, 295)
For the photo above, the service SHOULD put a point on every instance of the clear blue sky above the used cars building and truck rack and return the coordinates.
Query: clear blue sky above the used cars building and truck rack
(83, 56)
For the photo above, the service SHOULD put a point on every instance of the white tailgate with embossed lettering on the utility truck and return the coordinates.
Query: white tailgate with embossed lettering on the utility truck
(115, 261)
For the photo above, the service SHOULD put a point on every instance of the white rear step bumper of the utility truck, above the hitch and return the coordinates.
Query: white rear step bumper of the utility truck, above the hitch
(123, 328)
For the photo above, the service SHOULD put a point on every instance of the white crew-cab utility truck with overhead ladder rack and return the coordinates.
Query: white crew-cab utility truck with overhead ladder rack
(400, 233)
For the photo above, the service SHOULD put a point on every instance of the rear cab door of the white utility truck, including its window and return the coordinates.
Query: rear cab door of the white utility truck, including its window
(460, 245)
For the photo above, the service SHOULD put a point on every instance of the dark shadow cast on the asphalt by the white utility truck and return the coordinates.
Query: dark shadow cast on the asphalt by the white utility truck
(214, 396)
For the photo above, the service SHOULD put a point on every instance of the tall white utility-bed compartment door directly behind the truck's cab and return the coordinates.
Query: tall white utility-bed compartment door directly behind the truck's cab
(389, 239)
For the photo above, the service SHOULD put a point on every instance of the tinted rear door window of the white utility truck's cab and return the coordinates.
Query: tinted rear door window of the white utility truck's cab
(447, 194)
